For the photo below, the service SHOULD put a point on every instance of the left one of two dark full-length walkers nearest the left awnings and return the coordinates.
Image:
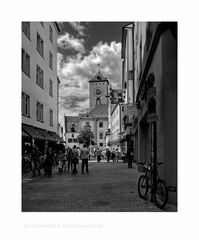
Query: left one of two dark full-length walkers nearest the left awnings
(35, 160)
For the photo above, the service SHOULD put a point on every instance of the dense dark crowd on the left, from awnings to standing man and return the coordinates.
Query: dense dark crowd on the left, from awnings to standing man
(65, 159)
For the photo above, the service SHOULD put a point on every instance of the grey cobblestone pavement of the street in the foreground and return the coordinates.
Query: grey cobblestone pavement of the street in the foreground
(109, 187)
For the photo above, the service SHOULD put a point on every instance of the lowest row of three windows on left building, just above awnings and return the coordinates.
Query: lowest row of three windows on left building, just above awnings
(39, 109)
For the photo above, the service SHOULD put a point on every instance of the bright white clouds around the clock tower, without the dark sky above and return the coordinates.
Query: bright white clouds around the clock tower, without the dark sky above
(75, 71)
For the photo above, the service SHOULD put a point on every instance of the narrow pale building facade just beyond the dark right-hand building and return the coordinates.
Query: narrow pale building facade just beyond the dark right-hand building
(129, 109)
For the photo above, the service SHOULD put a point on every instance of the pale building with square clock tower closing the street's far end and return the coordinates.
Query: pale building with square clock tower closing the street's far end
(97, 116)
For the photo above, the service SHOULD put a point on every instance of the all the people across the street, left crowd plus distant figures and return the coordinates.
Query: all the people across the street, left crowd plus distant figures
(67, 159)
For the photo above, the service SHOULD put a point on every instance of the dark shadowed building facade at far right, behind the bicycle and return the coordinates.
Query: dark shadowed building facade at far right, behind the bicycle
(157, 101)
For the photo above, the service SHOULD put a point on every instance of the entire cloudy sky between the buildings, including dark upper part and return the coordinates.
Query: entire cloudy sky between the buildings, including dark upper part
(81, 47)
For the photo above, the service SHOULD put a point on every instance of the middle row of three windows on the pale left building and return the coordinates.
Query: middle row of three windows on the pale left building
(39, 72)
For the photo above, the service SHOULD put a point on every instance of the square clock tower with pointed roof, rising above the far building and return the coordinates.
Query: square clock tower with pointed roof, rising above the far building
(98, 90)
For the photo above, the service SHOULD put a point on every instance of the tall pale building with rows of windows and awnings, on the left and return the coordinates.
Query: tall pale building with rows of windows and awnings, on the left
(40, 84)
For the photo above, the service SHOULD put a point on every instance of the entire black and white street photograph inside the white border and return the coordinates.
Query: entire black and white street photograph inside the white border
(99, 116)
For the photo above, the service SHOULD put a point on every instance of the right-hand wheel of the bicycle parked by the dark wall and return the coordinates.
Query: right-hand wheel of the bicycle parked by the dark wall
(161, 194)
